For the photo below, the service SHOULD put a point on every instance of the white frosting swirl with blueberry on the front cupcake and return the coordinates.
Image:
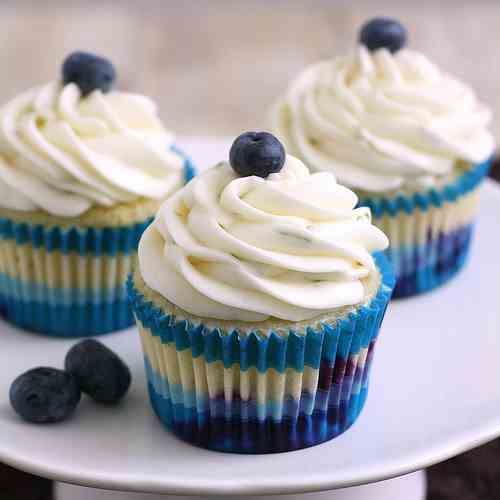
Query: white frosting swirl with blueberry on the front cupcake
(263, 239)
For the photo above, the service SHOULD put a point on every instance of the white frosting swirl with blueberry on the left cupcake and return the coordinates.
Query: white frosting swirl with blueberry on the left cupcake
(72, 144)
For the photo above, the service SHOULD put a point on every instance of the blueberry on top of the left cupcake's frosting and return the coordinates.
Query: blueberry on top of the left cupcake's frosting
(89, 72)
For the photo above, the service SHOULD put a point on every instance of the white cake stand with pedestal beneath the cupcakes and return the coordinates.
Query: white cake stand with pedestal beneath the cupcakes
(434, 393)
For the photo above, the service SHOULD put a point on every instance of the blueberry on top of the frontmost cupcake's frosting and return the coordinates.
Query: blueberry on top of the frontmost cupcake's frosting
(257, 153)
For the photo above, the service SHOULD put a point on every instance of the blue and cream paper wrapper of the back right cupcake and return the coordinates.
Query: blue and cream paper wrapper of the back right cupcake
(429, 233)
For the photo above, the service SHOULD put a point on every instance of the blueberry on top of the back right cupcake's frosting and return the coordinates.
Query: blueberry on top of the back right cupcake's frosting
(383, 32)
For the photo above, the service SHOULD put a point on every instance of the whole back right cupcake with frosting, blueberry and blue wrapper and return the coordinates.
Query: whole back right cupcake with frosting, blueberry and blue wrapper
(411, 140)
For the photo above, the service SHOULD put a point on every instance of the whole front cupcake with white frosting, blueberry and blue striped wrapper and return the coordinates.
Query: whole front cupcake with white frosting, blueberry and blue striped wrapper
(259, 294)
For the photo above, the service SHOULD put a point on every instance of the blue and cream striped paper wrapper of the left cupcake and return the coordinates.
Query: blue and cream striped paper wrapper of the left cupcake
(68, 282)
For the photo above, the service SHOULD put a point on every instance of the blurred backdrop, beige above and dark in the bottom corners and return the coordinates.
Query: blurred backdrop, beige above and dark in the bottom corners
(215, 67)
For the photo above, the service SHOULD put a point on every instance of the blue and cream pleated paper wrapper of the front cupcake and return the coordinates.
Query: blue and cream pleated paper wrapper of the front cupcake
(255, 393)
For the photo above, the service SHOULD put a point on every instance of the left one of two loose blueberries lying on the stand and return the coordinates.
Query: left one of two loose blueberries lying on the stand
(44, 395)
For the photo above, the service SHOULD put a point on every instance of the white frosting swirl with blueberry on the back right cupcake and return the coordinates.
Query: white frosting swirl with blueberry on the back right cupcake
(383, 118)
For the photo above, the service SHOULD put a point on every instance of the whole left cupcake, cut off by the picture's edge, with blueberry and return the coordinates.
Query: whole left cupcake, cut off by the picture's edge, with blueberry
(83, 170)
